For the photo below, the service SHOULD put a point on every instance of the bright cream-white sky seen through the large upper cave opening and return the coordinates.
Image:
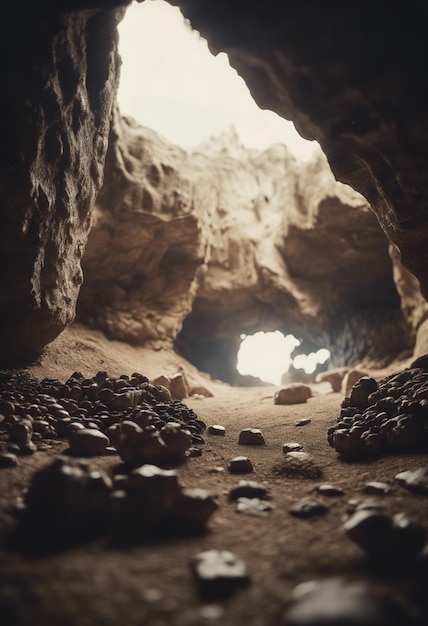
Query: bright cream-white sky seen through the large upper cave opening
(172, 83)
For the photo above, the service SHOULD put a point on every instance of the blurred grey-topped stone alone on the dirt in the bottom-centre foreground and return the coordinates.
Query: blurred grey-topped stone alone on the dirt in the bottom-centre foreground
(219, 573)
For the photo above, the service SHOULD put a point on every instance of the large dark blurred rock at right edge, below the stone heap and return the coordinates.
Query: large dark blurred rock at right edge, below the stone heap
(383, 537)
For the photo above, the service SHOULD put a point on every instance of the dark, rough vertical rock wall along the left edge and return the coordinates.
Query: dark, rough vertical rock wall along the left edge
(59, 75)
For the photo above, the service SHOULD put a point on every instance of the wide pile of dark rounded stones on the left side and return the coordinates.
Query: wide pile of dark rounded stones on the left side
(99, 415)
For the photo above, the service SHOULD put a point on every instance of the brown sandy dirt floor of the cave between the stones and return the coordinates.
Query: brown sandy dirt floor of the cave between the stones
(152, 583)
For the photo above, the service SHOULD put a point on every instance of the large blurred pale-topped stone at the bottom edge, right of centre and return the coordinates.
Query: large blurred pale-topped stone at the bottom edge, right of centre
(338, 602)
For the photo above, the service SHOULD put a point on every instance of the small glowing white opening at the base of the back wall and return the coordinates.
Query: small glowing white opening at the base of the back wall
(269, 355)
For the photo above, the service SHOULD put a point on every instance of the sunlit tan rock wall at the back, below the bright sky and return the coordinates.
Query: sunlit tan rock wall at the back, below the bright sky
(194, 248)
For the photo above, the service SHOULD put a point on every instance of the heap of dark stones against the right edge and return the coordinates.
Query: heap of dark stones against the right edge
(386, 416)
